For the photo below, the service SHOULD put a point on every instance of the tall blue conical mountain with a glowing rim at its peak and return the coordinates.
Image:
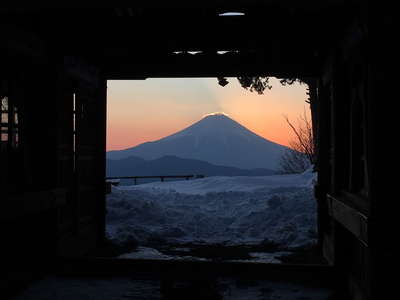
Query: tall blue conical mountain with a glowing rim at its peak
(217, 139)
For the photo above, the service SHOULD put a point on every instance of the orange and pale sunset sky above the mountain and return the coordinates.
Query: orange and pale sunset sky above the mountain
(147, 110)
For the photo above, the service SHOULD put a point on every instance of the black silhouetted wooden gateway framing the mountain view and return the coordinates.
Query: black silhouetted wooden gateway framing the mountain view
(54, 66)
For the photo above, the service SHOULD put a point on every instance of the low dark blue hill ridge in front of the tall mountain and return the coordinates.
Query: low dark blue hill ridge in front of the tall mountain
(172, 165)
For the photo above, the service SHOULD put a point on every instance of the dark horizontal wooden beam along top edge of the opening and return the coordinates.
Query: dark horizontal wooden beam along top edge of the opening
(199, 65)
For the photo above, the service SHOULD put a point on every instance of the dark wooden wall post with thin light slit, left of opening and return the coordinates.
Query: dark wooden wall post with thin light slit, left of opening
(82, 155)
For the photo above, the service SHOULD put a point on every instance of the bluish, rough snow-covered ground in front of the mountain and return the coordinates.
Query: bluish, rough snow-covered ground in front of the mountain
(278, 209)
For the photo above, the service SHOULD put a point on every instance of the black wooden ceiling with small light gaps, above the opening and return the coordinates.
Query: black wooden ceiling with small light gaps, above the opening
(281, 38)
